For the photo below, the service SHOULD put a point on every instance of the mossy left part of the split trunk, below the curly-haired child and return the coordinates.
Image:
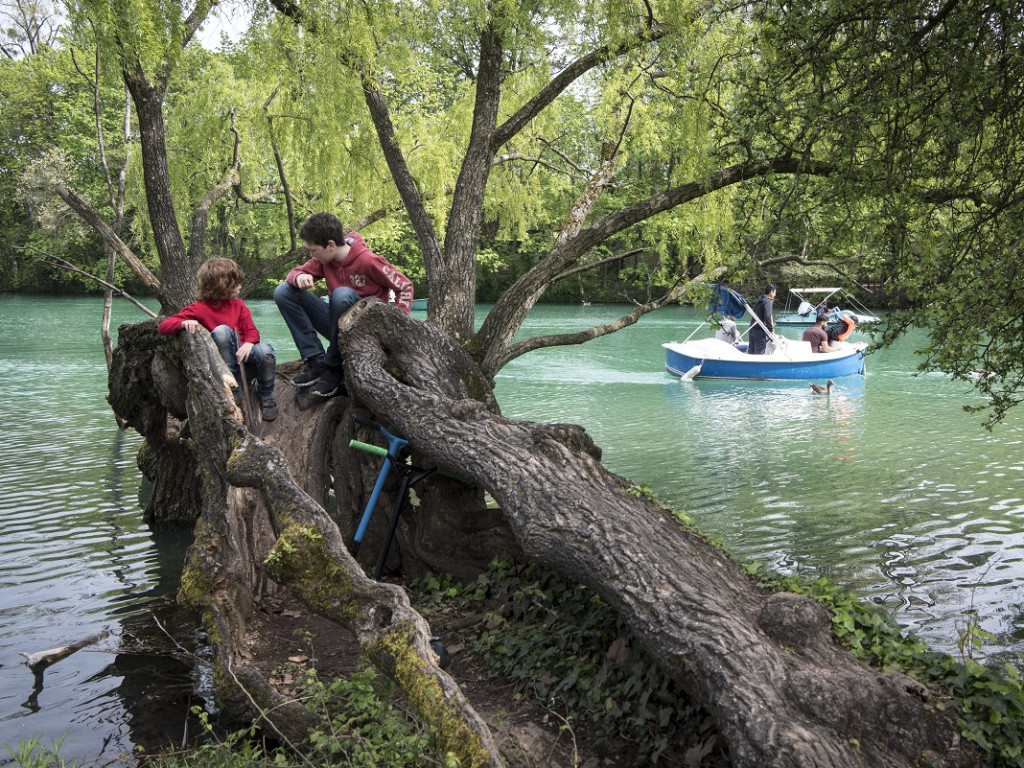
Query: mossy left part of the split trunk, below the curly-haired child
(261, 531)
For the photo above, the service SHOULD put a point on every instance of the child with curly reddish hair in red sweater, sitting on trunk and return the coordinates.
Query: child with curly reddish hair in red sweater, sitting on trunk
(222, 313)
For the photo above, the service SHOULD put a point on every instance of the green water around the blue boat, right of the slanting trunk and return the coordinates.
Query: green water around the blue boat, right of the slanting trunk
(887, 487)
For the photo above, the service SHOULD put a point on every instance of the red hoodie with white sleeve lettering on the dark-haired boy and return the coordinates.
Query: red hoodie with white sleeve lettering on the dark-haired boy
(364, 272)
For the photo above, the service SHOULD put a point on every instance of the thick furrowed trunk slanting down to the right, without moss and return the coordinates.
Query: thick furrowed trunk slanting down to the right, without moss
(767, 667)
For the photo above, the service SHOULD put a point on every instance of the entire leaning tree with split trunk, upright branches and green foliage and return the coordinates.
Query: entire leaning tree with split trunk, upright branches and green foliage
(622, 115)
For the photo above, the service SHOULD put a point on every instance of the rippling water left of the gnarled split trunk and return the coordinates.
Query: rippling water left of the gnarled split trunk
(75, 559)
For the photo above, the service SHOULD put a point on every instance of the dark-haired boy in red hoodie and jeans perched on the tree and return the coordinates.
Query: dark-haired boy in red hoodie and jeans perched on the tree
(352, 272)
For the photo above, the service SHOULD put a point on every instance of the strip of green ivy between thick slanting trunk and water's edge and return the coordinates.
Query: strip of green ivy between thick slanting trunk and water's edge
(990, 702)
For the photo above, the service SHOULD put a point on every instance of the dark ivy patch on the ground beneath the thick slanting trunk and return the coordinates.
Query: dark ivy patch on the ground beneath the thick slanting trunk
(569, 650)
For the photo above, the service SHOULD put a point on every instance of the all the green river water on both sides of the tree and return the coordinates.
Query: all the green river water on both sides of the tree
(887, 487)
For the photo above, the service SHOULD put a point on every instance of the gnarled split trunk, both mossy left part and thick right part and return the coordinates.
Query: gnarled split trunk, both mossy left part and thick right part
(766, 666)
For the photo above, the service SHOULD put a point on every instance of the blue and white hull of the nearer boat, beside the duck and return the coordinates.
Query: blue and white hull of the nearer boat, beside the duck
(720, 361)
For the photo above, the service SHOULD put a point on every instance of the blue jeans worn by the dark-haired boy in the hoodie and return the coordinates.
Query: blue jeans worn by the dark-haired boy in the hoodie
(307, 315)
